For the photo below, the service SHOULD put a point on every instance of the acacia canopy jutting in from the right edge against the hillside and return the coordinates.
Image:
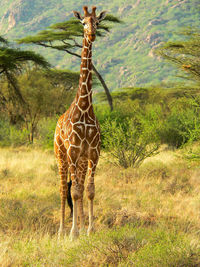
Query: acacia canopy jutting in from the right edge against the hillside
(185, 54)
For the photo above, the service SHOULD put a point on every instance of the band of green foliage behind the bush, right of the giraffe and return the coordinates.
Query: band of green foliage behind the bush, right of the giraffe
(178, 110)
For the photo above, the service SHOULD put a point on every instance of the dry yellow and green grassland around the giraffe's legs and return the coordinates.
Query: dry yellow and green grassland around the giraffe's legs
(144, 217)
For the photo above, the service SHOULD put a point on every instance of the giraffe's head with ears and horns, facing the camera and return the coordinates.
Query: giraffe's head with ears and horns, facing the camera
(90, 22)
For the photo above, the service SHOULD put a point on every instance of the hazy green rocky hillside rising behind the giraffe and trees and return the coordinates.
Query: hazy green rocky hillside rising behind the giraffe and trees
(125, 56)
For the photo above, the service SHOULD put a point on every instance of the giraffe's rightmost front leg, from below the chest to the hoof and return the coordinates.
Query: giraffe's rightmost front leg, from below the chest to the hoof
(90, 195)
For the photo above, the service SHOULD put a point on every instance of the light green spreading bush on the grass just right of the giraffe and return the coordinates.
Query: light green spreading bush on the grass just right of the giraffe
(133, 140)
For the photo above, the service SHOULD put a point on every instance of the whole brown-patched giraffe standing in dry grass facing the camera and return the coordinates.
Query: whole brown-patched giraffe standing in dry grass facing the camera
(77, 135)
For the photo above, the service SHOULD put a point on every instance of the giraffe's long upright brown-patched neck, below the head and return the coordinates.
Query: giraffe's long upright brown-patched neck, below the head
(84, 93)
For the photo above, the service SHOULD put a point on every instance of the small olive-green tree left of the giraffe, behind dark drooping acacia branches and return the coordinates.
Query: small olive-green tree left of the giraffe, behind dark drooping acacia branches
(44, 92)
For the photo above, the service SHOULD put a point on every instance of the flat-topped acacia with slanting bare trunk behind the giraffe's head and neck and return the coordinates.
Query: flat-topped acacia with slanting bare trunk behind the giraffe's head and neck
(65, 36)
